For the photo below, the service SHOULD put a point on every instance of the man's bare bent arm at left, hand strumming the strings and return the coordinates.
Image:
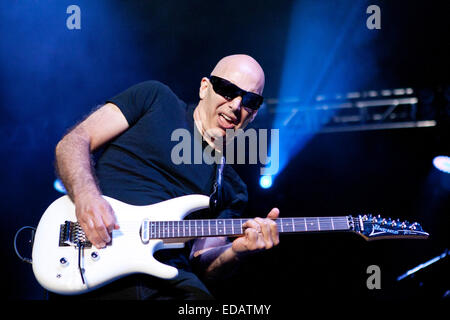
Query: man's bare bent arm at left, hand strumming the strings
(74, 166)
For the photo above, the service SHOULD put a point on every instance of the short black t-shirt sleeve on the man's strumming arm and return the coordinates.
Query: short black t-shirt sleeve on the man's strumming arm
(137, 100)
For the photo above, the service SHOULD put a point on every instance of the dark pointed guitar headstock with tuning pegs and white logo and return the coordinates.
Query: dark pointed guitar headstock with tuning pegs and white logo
(375, 228)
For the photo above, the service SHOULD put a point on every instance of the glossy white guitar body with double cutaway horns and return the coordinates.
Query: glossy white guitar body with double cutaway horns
(57, 267)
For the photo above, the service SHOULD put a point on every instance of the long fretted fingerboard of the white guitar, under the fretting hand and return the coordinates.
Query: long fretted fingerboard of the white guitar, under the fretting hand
(233, 227)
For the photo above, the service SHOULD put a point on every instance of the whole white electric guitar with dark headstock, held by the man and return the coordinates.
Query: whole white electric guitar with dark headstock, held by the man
(65, 262)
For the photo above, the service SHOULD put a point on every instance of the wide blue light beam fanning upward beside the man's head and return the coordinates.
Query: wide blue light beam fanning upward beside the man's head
(315, 68)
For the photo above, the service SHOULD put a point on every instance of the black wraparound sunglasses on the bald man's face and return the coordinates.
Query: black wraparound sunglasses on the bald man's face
(230, 91)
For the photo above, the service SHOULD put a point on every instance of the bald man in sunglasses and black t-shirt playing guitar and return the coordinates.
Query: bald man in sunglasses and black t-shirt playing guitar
(135, 167)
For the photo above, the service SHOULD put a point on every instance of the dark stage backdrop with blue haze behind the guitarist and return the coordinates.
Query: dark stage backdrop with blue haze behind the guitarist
(50, 77)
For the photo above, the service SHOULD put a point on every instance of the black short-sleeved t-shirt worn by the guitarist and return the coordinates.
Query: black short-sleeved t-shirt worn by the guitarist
(136, 167)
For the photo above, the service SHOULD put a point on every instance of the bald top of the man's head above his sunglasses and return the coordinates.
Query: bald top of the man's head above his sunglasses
(243, 71)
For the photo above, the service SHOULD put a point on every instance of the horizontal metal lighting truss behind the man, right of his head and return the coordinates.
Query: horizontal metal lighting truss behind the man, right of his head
(352, 111)
